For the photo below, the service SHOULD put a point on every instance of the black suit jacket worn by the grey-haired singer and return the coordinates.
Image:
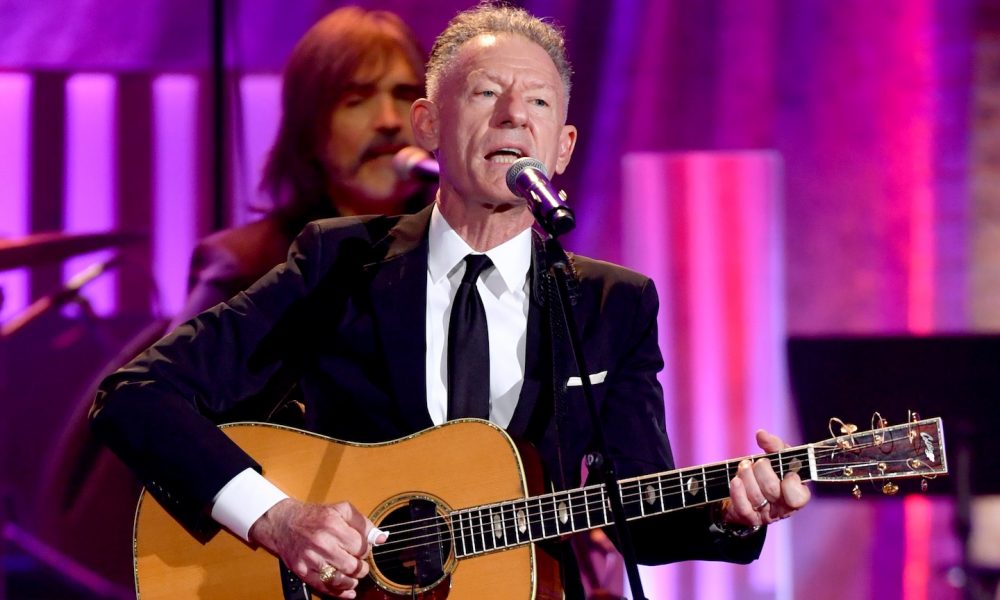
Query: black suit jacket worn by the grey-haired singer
(344, 317)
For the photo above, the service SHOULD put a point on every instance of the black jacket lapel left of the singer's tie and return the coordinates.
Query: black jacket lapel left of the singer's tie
(399, 299)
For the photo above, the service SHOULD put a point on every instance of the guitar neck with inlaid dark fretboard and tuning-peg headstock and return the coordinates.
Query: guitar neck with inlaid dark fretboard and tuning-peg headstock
(908, 450)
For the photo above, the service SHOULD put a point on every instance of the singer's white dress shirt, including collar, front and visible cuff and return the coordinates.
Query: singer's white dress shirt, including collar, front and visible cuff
(504, 291)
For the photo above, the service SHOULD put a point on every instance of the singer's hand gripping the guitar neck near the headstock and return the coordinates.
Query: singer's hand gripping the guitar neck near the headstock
(757, 495)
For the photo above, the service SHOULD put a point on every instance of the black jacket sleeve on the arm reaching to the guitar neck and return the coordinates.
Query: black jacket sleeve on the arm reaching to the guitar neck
(633, 410)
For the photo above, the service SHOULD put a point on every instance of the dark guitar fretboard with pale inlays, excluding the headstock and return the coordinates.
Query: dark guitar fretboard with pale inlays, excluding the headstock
(489, 528)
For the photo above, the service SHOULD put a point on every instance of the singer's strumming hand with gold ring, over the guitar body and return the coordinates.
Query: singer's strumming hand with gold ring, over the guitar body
(312, 538)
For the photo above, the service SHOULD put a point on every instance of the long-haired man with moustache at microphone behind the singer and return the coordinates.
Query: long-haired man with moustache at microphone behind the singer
(346, 95)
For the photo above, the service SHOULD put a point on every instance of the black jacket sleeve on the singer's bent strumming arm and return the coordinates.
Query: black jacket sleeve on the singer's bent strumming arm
(157, 413)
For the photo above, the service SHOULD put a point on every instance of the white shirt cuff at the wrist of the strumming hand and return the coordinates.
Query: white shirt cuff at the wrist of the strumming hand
(243, 500)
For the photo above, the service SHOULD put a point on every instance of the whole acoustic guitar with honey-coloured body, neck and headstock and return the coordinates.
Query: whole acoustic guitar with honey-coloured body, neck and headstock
(462, 522)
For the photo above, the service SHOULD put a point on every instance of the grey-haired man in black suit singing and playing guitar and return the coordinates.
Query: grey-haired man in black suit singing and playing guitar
(364, 314)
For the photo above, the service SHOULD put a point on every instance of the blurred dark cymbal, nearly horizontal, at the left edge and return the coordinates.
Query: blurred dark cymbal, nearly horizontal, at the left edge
(40, 248)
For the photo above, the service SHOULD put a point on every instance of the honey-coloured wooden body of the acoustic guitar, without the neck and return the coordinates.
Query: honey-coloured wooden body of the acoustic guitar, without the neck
(459, 464)
